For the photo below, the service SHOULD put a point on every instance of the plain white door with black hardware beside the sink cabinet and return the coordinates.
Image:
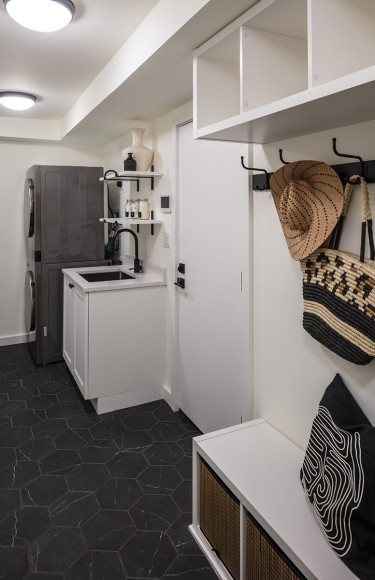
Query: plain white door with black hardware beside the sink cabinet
(213, 309)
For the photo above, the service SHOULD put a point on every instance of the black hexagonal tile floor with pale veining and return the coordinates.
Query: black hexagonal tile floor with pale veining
(84, 496)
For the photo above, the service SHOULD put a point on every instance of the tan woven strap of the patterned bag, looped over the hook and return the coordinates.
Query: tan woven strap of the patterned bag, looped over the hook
(366, 215)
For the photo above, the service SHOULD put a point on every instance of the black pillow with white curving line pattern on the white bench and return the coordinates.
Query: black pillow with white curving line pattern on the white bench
(338, 476)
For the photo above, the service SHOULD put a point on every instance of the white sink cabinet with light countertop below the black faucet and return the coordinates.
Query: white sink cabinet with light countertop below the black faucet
(113, 339)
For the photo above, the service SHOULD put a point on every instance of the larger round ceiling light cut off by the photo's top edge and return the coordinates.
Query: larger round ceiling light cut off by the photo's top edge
(41, 15)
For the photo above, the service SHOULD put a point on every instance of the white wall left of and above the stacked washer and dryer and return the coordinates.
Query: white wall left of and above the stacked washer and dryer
(15, 158)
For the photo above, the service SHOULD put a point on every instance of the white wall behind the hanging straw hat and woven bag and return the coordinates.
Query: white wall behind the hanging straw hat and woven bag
(292, 370)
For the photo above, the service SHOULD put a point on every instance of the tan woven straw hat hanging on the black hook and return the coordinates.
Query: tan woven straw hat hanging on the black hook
(309, 197)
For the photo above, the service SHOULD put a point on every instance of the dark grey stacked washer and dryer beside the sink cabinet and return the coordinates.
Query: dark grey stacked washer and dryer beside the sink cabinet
(62, 210)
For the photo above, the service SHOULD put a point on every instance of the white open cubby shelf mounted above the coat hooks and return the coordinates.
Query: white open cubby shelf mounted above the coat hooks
(287, 68)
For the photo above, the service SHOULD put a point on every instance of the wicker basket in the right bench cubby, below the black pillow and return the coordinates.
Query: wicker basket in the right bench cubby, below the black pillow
(264, 559)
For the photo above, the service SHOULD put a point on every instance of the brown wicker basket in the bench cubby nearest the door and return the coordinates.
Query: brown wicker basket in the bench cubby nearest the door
(220, 519)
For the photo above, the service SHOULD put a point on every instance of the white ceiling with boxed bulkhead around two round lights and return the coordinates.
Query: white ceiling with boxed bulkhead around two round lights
(71, 71)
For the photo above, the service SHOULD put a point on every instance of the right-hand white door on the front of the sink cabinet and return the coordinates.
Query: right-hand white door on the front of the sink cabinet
(81, 341)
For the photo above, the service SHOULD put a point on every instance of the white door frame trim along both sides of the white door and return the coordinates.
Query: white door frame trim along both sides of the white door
(247, 348)
